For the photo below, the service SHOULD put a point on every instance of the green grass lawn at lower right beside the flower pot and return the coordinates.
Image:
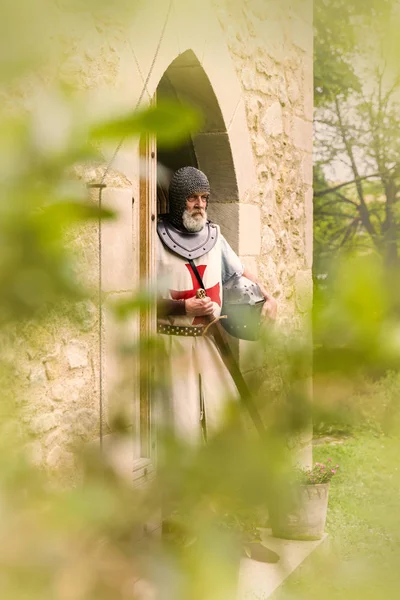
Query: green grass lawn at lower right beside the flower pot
(363, 556)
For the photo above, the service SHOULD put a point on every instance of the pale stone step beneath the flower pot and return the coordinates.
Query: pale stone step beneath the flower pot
(258, 581)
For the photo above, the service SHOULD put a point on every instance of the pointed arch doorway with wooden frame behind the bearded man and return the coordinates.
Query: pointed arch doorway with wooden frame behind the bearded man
(185, 80)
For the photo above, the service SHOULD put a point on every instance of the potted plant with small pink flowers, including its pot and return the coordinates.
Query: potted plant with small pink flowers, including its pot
(303, 515)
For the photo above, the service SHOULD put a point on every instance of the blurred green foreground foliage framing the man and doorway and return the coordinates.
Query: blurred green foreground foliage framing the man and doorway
(85, 541)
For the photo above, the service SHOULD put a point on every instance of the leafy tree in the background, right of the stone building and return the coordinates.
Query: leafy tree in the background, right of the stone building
(356, 181)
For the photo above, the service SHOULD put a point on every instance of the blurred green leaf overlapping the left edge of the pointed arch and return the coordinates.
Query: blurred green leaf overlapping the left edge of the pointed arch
(169, 121)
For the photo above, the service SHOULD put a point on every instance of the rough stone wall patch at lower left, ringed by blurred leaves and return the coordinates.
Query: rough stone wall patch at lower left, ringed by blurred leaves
(58, 391)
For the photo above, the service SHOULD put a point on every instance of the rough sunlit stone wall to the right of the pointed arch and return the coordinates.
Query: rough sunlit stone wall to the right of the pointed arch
(271, 47)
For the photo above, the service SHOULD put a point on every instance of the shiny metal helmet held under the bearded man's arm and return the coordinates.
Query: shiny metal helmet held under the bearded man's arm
(242, 305)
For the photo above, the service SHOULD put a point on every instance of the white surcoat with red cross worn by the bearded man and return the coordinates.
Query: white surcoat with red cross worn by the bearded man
(191, 357)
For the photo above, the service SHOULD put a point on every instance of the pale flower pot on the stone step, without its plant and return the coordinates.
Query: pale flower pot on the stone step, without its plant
(304, 517)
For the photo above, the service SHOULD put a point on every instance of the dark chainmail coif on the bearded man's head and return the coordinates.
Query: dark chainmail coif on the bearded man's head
(184, 183)
